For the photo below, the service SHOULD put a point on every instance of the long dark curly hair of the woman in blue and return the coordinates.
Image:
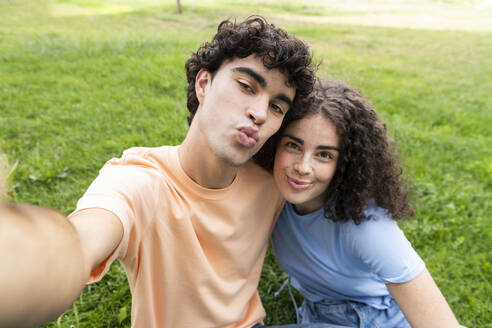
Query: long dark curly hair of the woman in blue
(367, 168)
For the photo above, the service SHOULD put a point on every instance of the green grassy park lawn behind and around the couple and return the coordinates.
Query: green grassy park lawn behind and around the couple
(82, 80)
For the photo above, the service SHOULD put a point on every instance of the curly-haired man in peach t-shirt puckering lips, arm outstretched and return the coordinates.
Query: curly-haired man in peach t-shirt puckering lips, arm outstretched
(190, 223)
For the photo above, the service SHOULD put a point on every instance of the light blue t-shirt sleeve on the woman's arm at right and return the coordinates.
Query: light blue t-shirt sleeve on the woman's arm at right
(381, 245)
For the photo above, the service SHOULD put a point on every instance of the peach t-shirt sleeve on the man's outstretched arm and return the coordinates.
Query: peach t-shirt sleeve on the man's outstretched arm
(128, 191)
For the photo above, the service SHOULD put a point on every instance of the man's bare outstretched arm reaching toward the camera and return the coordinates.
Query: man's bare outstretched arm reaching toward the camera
(46, 259)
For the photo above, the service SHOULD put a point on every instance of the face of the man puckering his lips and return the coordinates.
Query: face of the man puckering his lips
(241, 107)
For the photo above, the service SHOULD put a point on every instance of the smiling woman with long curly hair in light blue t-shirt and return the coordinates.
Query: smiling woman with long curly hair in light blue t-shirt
(337, 236)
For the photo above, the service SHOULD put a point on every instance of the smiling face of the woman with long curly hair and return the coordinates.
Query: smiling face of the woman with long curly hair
(306, 161)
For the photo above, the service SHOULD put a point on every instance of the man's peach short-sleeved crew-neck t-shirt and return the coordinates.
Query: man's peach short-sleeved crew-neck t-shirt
(193, 256)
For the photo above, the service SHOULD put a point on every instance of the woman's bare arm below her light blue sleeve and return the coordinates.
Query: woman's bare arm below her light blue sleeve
(422, 303)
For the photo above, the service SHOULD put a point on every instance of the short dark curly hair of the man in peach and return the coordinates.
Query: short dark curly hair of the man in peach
(274, 46)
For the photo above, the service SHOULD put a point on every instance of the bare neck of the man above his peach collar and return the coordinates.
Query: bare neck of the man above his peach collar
(203, 166)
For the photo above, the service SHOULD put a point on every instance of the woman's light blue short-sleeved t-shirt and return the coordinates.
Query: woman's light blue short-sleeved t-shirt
(344, 261)
